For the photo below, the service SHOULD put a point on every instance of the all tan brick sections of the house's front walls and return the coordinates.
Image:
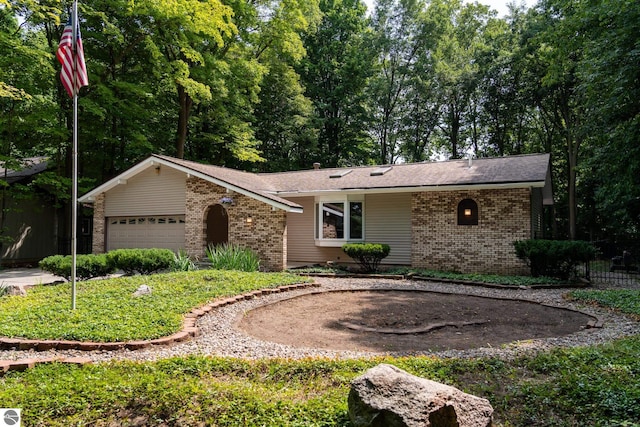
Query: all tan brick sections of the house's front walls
(437, 241)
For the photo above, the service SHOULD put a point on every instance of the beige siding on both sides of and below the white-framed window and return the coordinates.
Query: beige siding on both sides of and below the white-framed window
(387, 220)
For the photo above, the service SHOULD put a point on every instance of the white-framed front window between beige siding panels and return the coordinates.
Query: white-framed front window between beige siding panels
(338, 221)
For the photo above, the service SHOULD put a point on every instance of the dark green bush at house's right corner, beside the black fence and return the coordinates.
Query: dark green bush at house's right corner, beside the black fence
(554, 258)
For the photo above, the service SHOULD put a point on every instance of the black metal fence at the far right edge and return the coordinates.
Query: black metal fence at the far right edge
(617, 263)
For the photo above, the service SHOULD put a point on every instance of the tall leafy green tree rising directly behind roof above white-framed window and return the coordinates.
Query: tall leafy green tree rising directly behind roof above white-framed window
(335, 71)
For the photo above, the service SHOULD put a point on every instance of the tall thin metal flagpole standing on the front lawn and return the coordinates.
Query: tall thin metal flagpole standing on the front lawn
(74, 154)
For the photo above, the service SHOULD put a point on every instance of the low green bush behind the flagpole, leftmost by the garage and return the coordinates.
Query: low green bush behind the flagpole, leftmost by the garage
(87, 266)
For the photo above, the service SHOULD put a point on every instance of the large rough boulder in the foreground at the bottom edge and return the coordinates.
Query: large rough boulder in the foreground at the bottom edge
(390, 397)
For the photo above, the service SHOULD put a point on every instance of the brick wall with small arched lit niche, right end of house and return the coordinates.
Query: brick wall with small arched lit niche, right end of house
(439, 243)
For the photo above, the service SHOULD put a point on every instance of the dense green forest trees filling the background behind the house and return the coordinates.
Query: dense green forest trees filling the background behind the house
(273, 85)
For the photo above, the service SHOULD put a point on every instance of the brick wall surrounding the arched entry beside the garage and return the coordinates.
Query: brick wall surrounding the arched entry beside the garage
(266, 234)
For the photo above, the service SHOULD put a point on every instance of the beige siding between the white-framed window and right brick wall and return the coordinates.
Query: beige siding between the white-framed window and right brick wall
(388, 220)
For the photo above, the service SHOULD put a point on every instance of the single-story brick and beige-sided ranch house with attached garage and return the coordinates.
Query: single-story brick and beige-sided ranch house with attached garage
(459, 215)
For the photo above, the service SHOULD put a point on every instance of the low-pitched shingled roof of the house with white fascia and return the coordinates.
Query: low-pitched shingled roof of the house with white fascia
(499, 172)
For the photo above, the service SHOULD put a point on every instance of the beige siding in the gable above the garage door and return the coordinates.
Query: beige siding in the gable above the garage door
(152, 192)
